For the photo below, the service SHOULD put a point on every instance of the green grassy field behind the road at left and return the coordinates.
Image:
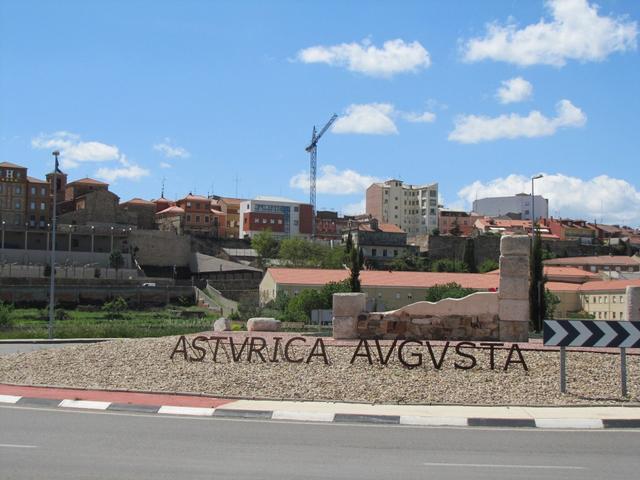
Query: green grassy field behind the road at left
(152, 322)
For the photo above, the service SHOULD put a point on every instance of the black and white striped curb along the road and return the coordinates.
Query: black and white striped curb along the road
(325, 417)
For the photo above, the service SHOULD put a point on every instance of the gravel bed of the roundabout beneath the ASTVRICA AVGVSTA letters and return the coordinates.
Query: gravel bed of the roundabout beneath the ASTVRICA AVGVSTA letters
(144, 365)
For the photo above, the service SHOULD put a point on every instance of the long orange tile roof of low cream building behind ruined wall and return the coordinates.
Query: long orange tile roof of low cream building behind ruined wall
(378, 278)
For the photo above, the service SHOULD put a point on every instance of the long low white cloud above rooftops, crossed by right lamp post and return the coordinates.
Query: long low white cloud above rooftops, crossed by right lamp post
(602, 197)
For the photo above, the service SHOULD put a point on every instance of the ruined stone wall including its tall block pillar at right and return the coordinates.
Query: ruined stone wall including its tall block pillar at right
(500, 316)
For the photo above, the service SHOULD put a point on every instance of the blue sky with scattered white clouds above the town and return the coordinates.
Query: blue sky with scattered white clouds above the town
(200, 92)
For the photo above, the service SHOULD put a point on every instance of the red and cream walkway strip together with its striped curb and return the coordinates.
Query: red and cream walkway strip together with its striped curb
(419, 415)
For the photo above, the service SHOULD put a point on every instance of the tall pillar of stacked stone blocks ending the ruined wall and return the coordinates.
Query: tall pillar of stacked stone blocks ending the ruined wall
(513, 294)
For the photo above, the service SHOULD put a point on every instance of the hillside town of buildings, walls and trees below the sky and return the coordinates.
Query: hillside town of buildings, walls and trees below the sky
(251, 253)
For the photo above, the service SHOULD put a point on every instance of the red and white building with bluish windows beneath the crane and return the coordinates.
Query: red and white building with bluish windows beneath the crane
(283, 217)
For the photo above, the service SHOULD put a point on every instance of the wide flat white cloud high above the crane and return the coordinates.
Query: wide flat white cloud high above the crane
(394, 57)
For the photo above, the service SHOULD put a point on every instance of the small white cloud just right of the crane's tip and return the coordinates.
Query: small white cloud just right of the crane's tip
(368, 118)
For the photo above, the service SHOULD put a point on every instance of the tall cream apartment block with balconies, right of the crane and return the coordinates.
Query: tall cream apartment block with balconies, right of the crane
(412, 208)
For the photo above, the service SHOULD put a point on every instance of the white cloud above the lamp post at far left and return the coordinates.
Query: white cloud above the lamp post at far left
(73, 151)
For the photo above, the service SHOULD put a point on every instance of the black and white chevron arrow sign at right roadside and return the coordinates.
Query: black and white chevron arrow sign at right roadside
(592, 333)
